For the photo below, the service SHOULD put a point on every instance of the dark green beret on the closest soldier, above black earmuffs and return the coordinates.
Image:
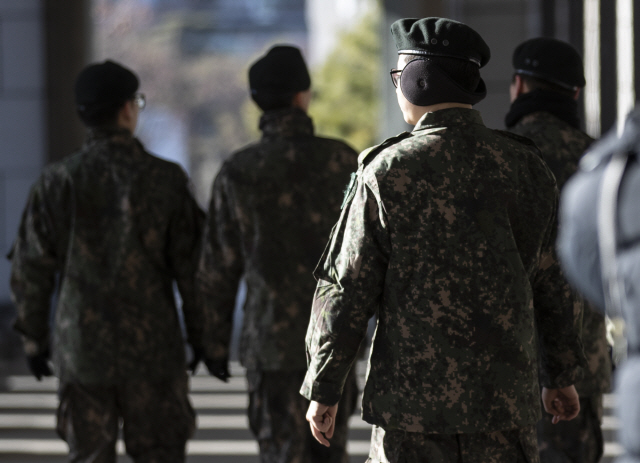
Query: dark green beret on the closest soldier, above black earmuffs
(439, 37)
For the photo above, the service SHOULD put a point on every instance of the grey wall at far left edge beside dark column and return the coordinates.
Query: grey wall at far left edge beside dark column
(22, 115)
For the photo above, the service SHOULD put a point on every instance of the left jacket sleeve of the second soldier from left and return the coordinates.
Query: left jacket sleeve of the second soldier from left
(220, 268)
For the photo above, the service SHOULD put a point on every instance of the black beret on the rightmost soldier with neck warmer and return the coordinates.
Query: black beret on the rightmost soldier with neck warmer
(550, 59)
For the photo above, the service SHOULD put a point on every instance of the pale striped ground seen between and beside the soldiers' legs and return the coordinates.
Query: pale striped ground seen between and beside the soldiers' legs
(27, 421)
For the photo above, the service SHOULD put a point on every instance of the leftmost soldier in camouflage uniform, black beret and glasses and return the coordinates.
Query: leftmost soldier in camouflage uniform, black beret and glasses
(114, 227)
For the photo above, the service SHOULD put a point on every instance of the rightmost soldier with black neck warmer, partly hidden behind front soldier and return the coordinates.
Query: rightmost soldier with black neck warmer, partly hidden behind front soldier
(546, 83)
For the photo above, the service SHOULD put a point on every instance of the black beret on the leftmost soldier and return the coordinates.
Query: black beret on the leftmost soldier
(107, 82)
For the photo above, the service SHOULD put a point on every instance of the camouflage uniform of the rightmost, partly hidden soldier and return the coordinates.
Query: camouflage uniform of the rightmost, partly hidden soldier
(562, 146)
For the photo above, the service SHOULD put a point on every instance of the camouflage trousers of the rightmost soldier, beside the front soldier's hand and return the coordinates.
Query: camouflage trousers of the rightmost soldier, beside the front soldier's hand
(577, 441)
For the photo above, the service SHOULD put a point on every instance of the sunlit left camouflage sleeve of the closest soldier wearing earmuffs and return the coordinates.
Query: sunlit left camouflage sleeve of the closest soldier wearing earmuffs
(350, 278)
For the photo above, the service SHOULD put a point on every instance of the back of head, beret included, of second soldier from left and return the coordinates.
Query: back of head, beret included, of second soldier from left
(275, 78)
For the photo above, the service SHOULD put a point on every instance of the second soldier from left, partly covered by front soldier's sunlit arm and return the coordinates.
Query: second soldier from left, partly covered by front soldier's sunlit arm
(272, 207)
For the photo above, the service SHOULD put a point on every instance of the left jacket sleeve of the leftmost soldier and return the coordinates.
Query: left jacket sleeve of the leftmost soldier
(35, 262)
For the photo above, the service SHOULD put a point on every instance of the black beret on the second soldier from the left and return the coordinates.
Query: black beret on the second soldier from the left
(281, 70)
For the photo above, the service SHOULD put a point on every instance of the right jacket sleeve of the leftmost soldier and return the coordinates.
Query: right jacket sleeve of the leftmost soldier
(185, 234)
